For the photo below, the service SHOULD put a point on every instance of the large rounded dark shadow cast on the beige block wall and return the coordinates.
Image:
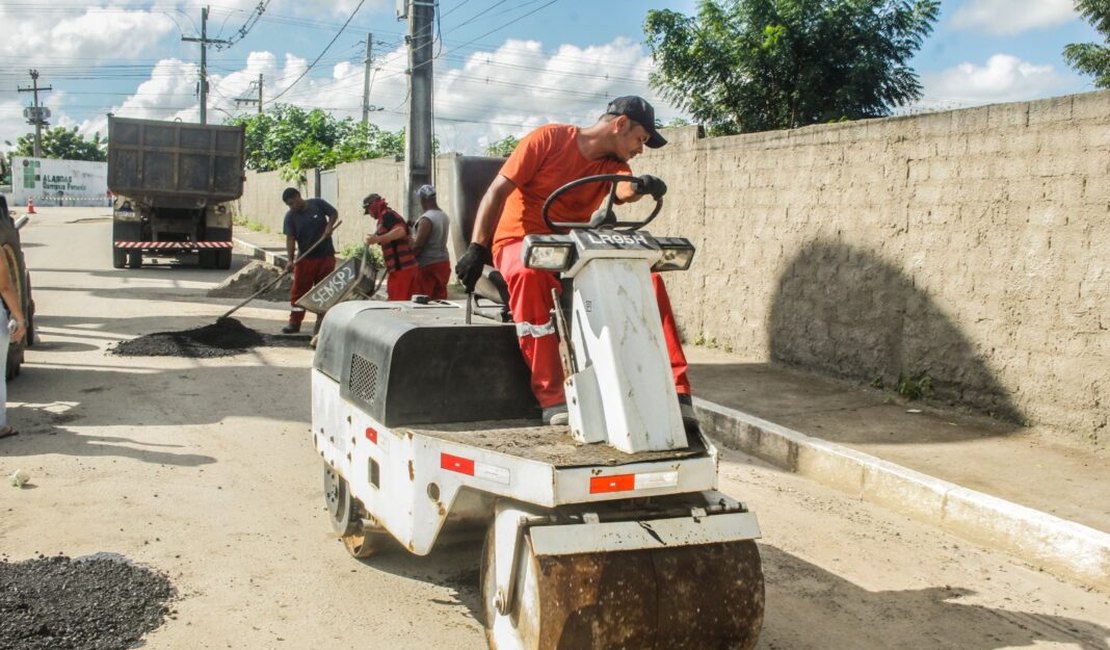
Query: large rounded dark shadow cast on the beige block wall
(845, 312)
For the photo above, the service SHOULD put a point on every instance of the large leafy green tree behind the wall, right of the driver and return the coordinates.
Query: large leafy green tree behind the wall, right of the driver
(744, 66)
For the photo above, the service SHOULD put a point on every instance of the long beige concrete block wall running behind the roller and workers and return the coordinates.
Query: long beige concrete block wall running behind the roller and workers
(965, 255)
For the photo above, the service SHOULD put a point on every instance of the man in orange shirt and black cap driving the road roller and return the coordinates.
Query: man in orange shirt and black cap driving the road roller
(546, 160)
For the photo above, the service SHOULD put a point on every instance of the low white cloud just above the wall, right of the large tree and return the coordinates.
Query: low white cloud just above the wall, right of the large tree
(1003, 79)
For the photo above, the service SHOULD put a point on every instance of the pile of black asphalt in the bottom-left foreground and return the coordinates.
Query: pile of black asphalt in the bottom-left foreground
(94, 603)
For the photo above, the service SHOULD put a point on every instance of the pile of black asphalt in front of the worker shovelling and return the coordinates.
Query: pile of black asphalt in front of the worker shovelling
(225, 338)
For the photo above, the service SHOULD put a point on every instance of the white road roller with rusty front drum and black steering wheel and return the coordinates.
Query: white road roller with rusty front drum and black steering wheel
(607, 533)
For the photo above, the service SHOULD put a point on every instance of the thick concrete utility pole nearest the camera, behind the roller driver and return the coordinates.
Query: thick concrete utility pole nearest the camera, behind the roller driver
(419, 140)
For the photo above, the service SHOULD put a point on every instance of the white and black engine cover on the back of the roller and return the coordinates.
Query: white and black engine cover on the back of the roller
(408, 364)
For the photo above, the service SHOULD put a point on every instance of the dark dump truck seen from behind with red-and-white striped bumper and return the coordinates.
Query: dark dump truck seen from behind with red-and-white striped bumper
(175, 185)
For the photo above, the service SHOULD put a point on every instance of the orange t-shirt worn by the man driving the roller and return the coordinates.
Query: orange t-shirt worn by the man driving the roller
(544, 161)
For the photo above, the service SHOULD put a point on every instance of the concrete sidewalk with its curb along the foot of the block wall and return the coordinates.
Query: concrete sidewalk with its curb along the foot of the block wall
(1000, 485)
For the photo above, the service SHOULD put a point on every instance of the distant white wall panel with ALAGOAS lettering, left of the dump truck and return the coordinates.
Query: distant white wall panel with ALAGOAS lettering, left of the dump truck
(59, 182)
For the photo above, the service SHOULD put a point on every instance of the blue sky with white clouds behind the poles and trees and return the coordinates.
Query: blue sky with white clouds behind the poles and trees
(503, 66)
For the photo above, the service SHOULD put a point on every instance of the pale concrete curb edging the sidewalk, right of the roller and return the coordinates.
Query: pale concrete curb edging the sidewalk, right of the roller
(1064, 549)
